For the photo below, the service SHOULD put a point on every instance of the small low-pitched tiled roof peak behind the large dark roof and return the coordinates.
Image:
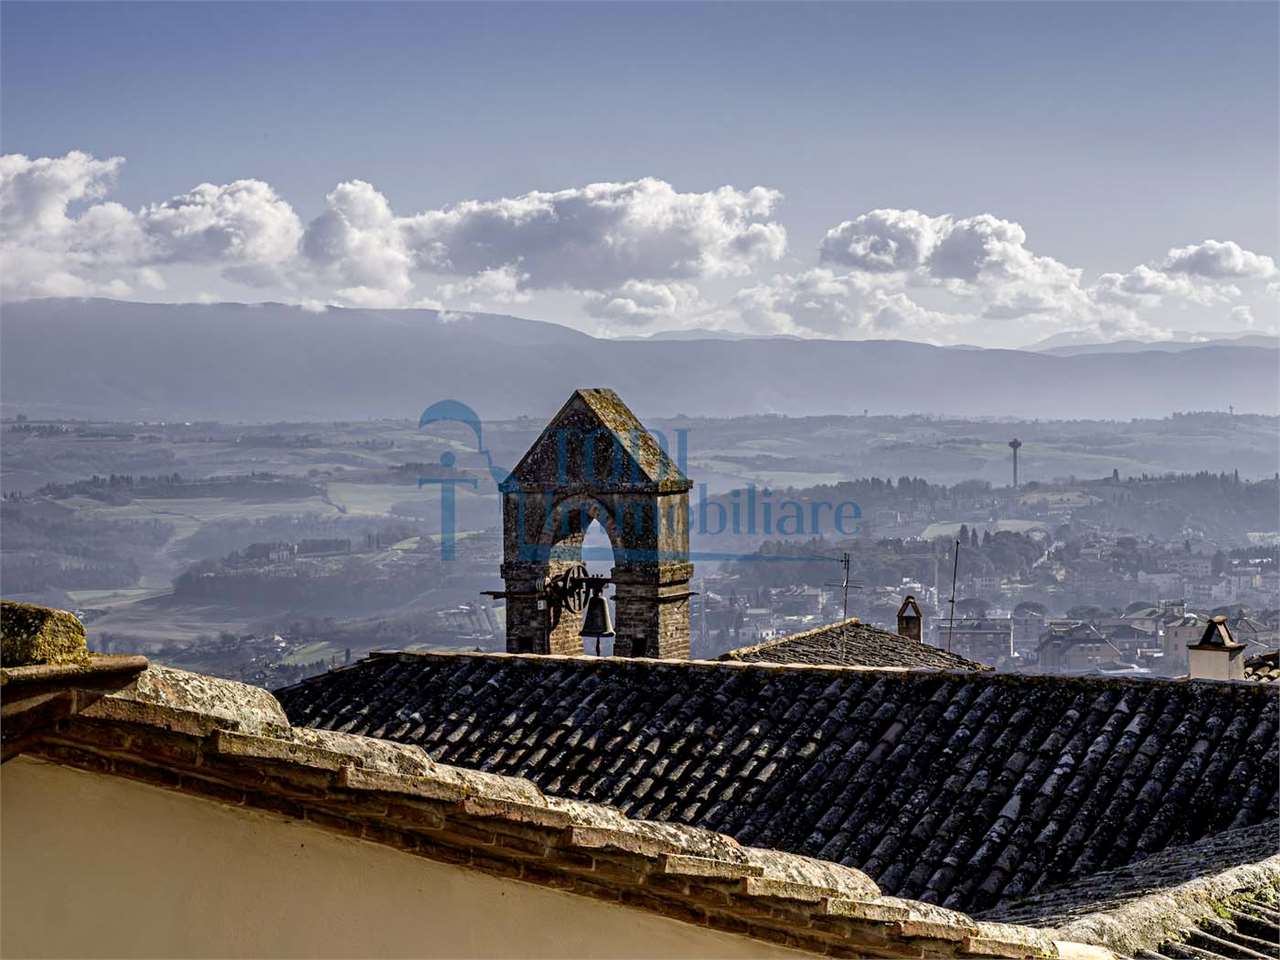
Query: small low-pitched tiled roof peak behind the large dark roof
(852, 644)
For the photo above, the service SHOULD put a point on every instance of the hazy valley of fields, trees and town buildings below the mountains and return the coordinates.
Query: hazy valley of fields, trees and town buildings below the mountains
(275, 552)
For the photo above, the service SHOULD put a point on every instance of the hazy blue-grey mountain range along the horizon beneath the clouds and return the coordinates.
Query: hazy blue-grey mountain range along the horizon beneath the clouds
(99, 359)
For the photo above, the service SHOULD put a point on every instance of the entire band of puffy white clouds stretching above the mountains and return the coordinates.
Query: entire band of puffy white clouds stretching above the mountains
(633, 257)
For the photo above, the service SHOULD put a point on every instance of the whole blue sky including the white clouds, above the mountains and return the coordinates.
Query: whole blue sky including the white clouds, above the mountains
(990, 173)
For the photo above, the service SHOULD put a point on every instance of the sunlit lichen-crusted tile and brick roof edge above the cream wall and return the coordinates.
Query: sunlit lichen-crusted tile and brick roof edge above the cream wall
(232, 744)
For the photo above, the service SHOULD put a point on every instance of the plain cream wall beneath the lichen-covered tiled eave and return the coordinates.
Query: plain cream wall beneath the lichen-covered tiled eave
(99, 867)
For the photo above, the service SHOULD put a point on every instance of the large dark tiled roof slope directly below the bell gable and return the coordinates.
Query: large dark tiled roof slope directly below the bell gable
(958, 789)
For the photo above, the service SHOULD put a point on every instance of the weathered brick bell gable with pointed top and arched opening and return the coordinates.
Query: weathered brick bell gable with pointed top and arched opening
(597, 461)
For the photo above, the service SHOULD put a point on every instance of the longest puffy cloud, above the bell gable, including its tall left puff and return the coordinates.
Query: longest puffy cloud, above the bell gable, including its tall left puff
(589, 239)
